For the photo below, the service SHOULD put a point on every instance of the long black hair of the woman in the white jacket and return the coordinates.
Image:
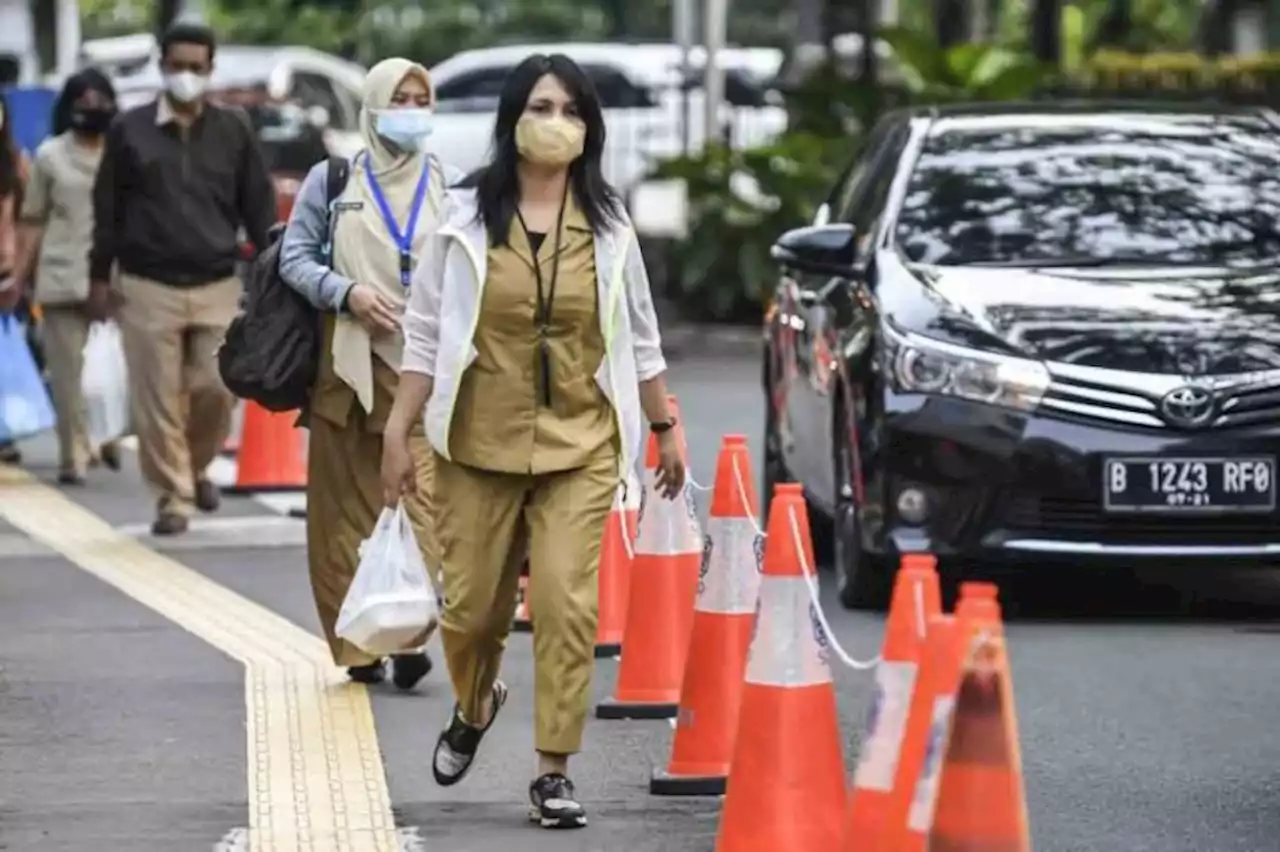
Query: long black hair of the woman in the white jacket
(497, 187)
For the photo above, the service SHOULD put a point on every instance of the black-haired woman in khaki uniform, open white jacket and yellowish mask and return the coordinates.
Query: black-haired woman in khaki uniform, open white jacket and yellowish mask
(532, 338)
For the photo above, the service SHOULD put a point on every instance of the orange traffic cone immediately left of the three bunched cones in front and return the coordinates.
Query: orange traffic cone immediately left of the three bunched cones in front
(787, 786)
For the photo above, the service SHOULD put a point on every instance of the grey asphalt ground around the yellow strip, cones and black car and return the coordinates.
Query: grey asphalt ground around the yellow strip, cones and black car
(1146, 708)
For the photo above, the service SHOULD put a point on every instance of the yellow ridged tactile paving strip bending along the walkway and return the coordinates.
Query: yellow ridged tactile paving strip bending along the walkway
(316, 773)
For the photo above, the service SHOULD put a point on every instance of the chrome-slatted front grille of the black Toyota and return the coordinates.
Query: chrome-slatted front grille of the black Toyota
(1107, 396)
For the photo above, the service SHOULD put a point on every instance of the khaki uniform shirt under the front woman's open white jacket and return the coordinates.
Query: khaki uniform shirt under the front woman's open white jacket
(501, 422)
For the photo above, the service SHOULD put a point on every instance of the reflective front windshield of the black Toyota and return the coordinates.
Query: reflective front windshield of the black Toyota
(1187, 190)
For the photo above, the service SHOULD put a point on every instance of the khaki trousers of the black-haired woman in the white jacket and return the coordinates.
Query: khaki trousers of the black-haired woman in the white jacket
(486, 525)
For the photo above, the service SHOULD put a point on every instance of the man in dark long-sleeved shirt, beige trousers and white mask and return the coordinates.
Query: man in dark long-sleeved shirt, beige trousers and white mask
(179, 181)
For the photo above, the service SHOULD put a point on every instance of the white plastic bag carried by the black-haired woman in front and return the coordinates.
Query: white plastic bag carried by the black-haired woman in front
(391, 601)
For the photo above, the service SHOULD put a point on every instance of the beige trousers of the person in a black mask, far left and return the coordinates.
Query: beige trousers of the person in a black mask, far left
(65, 333)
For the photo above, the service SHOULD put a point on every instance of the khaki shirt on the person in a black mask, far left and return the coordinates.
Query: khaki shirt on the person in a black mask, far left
(61, 198)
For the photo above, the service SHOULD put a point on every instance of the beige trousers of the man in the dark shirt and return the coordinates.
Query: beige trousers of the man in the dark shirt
(181, 410)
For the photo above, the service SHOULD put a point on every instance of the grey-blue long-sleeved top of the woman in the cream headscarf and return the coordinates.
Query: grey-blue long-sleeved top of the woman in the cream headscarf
(304, 251)
